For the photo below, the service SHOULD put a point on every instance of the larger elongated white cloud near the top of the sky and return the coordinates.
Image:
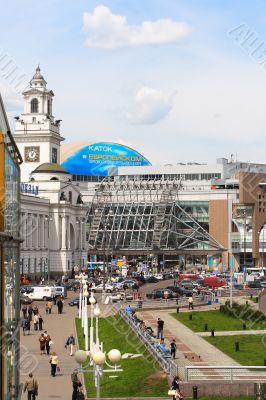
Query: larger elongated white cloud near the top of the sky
(108, 30)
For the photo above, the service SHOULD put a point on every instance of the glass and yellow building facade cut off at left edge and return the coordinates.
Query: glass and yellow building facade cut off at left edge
(10, 160)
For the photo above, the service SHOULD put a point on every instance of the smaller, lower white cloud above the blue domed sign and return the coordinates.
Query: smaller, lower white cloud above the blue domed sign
(149, 106)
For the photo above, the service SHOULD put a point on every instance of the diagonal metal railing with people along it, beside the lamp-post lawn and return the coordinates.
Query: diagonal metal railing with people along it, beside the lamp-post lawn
(167, 364)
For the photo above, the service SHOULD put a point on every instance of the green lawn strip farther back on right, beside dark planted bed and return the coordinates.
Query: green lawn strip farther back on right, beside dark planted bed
(215, 320)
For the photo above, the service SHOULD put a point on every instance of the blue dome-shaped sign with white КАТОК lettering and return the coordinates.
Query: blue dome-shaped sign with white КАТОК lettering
(97, 159)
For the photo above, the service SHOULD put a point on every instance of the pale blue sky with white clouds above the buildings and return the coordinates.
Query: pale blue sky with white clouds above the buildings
(178, 80)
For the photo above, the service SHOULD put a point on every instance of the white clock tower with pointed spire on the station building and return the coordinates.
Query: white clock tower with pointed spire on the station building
(37, 133)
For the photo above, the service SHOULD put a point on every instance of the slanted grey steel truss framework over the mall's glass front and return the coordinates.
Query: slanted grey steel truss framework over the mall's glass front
(147, 215)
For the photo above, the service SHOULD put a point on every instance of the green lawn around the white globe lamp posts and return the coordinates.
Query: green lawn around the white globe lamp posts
(141, 376)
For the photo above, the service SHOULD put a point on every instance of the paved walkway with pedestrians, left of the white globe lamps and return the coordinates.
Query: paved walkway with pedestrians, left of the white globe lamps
(59, 326)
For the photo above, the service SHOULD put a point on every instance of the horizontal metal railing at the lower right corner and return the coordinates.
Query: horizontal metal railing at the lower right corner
(225, 373)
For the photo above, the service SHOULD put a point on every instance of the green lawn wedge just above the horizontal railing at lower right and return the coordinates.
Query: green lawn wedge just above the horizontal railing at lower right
(251, 348)
